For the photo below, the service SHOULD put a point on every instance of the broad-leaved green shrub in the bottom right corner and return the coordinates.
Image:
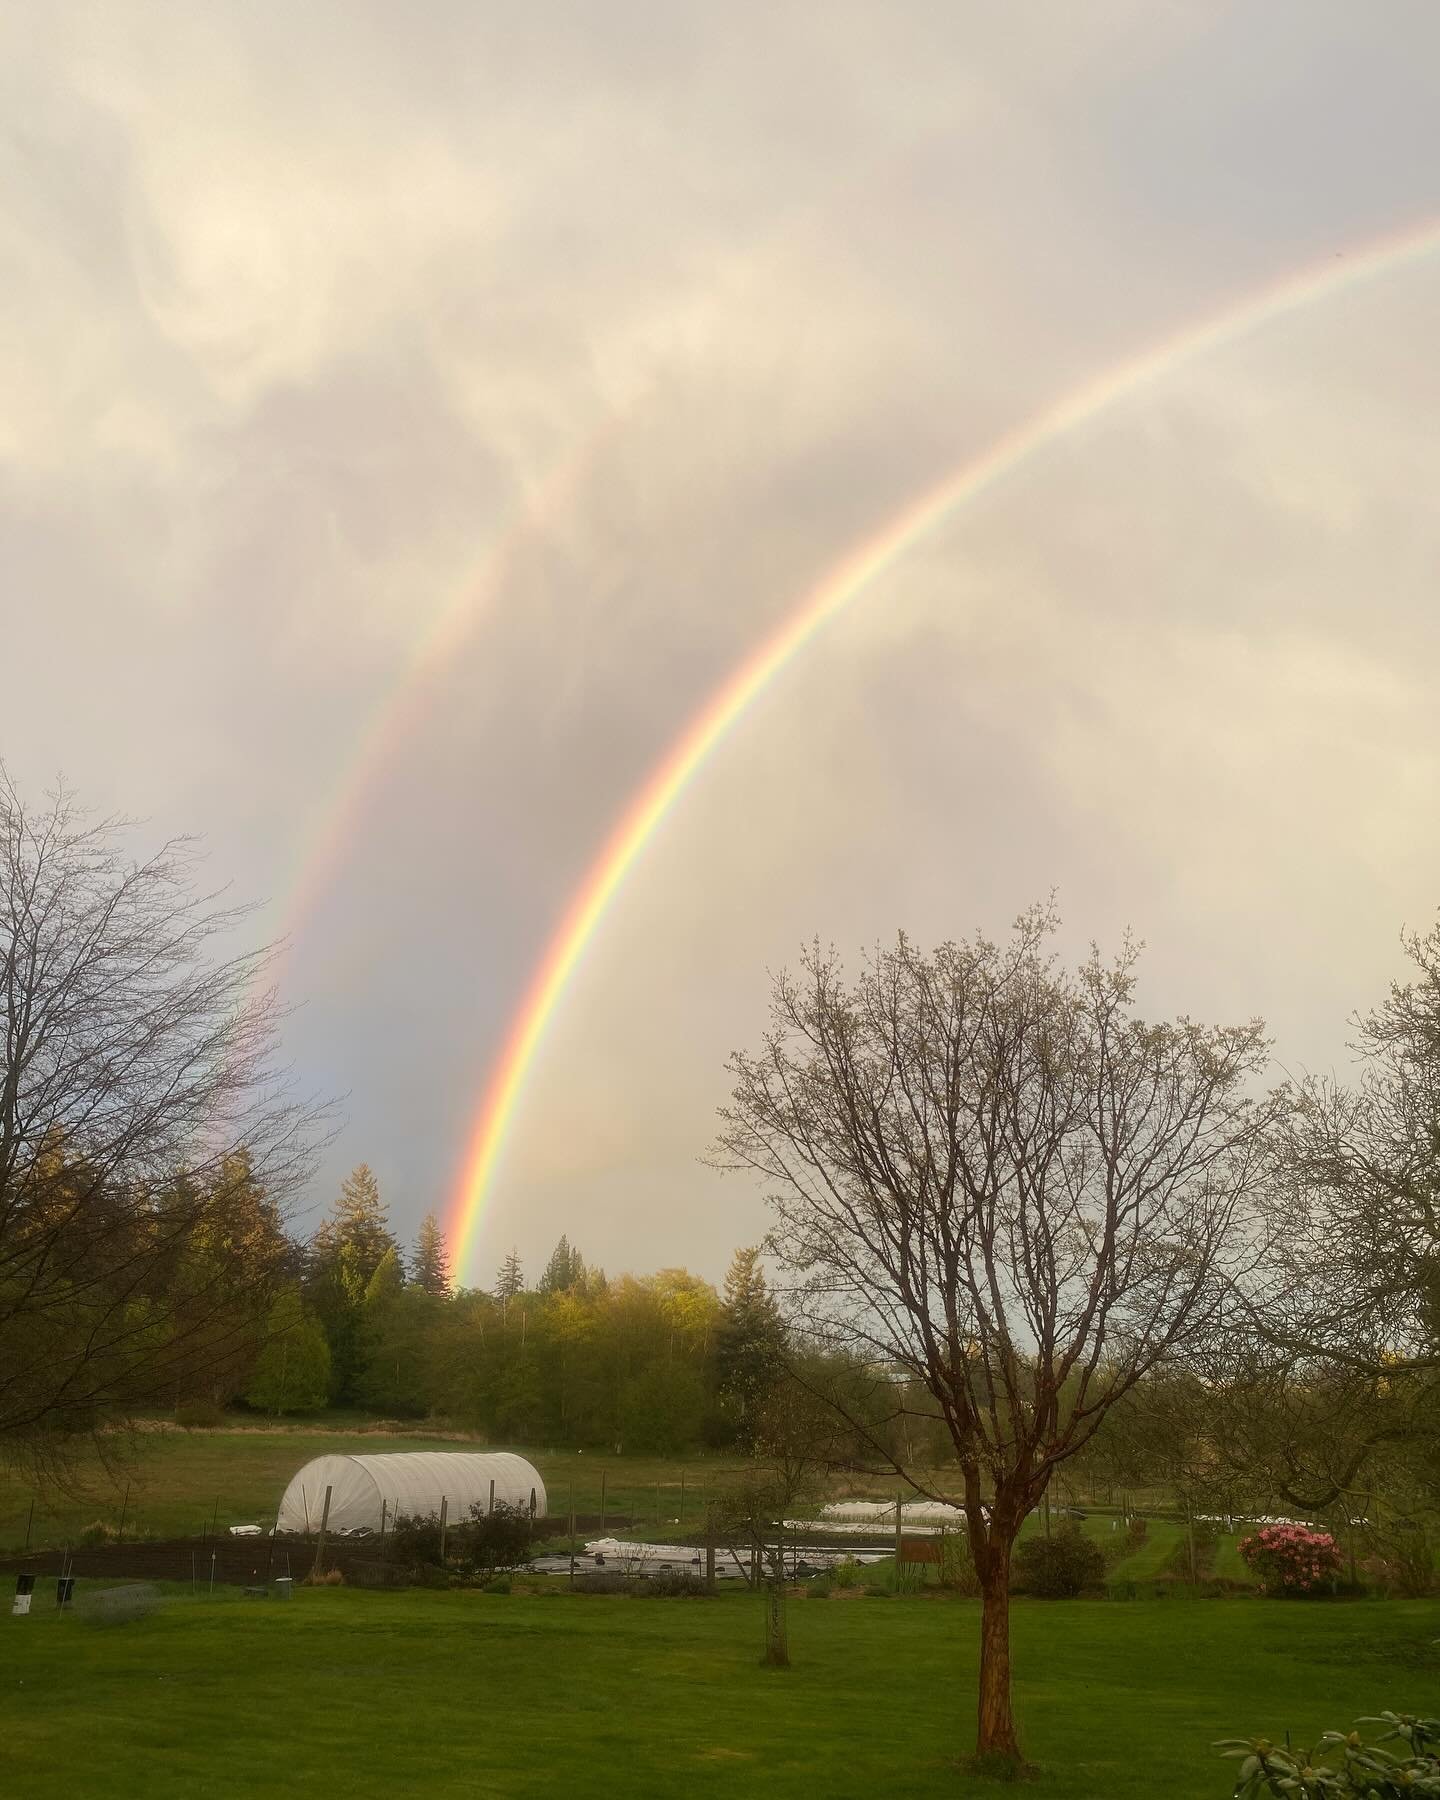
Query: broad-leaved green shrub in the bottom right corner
(1342, 1765)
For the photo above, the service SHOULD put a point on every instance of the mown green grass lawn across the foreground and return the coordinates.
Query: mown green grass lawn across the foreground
(474, 1695)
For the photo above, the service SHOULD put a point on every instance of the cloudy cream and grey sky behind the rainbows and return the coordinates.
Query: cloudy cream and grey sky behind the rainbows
(582, 339)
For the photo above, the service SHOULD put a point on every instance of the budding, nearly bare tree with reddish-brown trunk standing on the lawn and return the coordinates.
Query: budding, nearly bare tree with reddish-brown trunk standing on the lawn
(998, 1182)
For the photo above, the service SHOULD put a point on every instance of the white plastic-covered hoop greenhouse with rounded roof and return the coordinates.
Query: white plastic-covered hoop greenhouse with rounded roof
(411, 1484)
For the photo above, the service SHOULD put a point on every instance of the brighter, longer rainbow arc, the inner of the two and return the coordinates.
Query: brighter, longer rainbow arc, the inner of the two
(649, 809)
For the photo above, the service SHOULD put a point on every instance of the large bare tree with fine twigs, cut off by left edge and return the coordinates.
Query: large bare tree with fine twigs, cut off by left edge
(147, 1128)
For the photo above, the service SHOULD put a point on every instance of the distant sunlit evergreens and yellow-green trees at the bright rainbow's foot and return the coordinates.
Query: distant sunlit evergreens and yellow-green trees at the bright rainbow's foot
(658, 1363)
